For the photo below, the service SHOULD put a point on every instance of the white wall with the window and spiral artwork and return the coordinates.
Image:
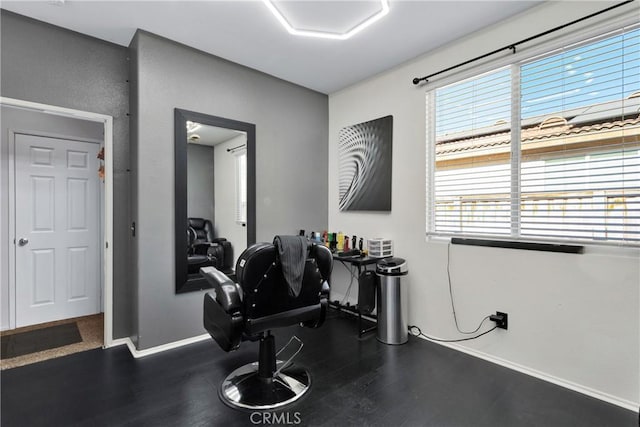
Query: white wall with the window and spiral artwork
(573, 319)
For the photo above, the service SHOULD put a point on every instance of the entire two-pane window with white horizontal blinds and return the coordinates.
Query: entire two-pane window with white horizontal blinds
(571, 168)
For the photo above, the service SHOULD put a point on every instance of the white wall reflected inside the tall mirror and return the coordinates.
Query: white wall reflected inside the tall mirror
(225, 190)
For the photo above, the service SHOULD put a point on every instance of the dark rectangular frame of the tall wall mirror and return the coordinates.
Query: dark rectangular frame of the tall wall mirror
(183, 283)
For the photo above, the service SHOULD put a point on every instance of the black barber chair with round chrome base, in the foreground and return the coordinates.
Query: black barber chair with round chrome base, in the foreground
(260, 301)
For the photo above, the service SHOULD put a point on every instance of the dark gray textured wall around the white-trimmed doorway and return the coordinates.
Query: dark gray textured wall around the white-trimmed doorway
(46, 64)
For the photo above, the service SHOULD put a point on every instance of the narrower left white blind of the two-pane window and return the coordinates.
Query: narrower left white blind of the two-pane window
(472, 174)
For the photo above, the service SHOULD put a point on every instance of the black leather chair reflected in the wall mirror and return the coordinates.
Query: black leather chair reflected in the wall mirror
(205, 250)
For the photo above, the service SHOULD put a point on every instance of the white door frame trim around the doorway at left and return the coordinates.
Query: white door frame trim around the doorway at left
(107, 204)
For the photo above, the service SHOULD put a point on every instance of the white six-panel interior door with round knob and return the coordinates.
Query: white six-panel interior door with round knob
(57, 198)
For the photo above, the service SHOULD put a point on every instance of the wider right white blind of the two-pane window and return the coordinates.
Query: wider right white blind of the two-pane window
(580, 173)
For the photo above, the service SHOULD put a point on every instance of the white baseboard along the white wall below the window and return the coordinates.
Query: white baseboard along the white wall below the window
(606, 397)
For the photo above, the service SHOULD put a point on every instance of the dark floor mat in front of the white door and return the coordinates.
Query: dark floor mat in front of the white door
(42, 339)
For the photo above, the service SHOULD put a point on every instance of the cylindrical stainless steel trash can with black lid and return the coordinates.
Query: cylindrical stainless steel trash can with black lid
(392, 304)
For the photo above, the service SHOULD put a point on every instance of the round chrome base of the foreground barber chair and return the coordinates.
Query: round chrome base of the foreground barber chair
(244, 388)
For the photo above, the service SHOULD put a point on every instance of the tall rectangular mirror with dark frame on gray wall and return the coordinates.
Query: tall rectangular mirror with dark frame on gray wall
(214, 194)
